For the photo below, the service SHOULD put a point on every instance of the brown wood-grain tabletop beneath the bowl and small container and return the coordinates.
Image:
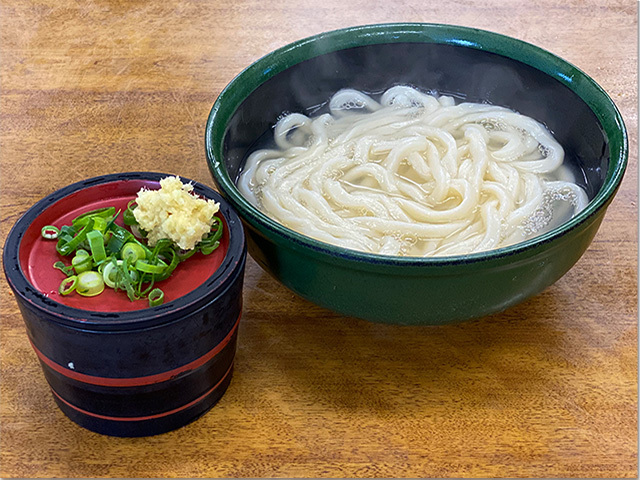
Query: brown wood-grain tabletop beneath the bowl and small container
(548, 388)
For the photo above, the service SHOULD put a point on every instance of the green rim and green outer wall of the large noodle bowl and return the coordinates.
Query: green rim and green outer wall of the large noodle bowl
(407, 290)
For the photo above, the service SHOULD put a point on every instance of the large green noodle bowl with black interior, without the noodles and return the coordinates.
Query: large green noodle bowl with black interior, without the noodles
(469, 63)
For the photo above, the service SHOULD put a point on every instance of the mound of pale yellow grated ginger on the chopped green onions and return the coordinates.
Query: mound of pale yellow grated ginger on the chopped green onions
(174, 212)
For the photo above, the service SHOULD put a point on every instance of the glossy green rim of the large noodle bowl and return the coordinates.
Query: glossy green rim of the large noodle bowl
(310, 47)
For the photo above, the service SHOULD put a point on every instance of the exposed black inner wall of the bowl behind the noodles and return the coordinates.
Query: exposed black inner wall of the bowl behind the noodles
(466, 73)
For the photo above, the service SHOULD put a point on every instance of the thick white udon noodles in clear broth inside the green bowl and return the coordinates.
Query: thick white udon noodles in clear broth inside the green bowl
(413, 174)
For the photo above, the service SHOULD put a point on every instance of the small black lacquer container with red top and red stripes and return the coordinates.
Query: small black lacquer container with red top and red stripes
(119, 367)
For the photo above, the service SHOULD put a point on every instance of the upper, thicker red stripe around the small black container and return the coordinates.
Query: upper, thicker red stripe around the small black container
(136, 381)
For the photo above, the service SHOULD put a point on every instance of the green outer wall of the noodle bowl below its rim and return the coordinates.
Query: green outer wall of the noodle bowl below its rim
(419, 295)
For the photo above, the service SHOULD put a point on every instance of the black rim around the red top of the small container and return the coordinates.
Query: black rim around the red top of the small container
(215, 285)
